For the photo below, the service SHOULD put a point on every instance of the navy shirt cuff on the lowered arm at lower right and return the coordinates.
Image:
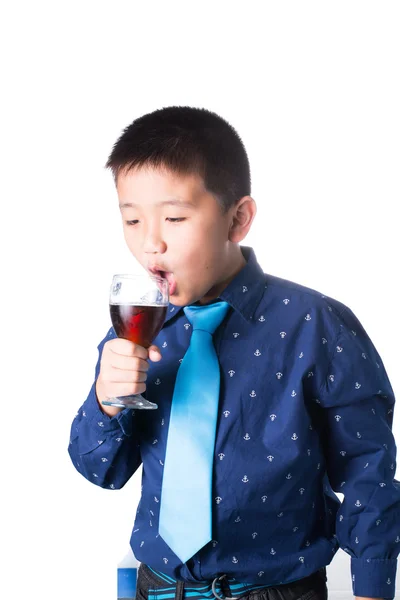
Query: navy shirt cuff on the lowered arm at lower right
(374, 577)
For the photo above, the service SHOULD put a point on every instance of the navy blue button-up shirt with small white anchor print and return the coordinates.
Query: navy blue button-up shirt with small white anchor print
(305, 410)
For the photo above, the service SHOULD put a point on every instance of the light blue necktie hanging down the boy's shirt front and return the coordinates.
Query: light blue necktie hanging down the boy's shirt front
(185, 512)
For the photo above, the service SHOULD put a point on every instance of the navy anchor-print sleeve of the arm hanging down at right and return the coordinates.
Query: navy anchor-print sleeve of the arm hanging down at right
(357, 400)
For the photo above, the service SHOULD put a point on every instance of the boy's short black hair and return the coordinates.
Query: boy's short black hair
(186, 140)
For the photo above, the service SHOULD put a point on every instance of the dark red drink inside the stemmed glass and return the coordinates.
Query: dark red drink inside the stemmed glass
(137, 323)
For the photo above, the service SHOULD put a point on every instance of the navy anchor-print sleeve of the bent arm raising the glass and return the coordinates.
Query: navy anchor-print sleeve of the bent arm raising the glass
(105, 450)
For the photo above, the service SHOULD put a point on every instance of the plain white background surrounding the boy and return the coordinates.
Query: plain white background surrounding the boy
(313, 90)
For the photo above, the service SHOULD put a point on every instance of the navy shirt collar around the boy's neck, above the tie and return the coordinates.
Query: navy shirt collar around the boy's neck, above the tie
(243, 293)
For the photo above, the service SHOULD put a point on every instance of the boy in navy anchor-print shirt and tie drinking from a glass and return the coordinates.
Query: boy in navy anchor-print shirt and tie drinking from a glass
(240, 460)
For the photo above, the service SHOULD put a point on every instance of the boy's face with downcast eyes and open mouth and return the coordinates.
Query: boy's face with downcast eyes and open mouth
(176, 229)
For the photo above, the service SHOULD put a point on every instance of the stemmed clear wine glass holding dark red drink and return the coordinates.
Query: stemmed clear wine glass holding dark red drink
(138, 306)
